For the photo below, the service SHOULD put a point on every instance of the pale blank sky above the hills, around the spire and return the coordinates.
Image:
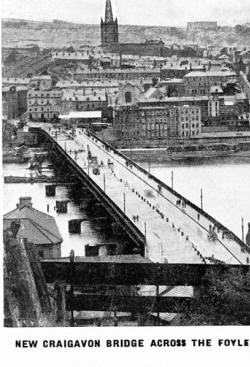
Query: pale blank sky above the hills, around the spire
(144, 12)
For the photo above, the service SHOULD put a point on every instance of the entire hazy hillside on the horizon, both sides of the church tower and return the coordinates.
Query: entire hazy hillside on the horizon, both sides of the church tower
(58, 33)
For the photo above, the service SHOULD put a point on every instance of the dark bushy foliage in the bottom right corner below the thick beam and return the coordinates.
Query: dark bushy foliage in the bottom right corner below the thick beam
(222, 299)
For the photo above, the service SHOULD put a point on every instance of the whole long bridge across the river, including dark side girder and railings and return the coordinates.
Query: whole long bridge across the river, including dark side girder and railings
(167, 227)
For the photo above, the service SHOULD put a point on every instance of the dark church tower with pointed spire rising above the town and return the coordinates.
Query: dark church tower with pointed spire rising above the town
(109, 27)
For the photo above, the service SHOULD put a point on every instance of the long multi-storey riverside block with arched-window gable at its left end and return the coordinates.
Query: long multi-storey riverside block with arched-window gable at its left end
(142, 120)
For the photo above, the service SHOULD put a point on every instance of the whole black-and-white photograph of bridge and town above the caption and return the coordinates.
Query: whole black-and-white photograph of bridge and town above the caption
(126, 166)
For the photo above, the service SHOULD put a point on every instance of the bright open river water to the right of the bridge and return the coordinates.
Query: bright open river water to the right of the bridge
(225, 185)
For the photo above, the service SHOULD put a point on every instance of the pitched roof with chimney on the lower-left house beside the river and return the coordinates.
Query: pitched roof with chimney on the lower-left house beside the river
(39, 228)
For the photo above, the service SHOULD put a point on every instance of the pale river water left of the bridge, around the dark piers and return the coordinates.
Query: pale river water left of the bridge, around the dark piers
(89, 233)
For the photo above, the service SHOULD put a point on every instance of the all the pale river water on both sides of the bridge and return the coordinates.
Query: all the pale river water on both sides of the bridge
(225, 185)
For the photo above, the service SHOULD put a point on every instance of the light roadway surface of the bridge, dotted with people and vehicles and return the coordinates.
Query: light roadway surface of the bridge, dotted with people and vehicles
(175, 231)
